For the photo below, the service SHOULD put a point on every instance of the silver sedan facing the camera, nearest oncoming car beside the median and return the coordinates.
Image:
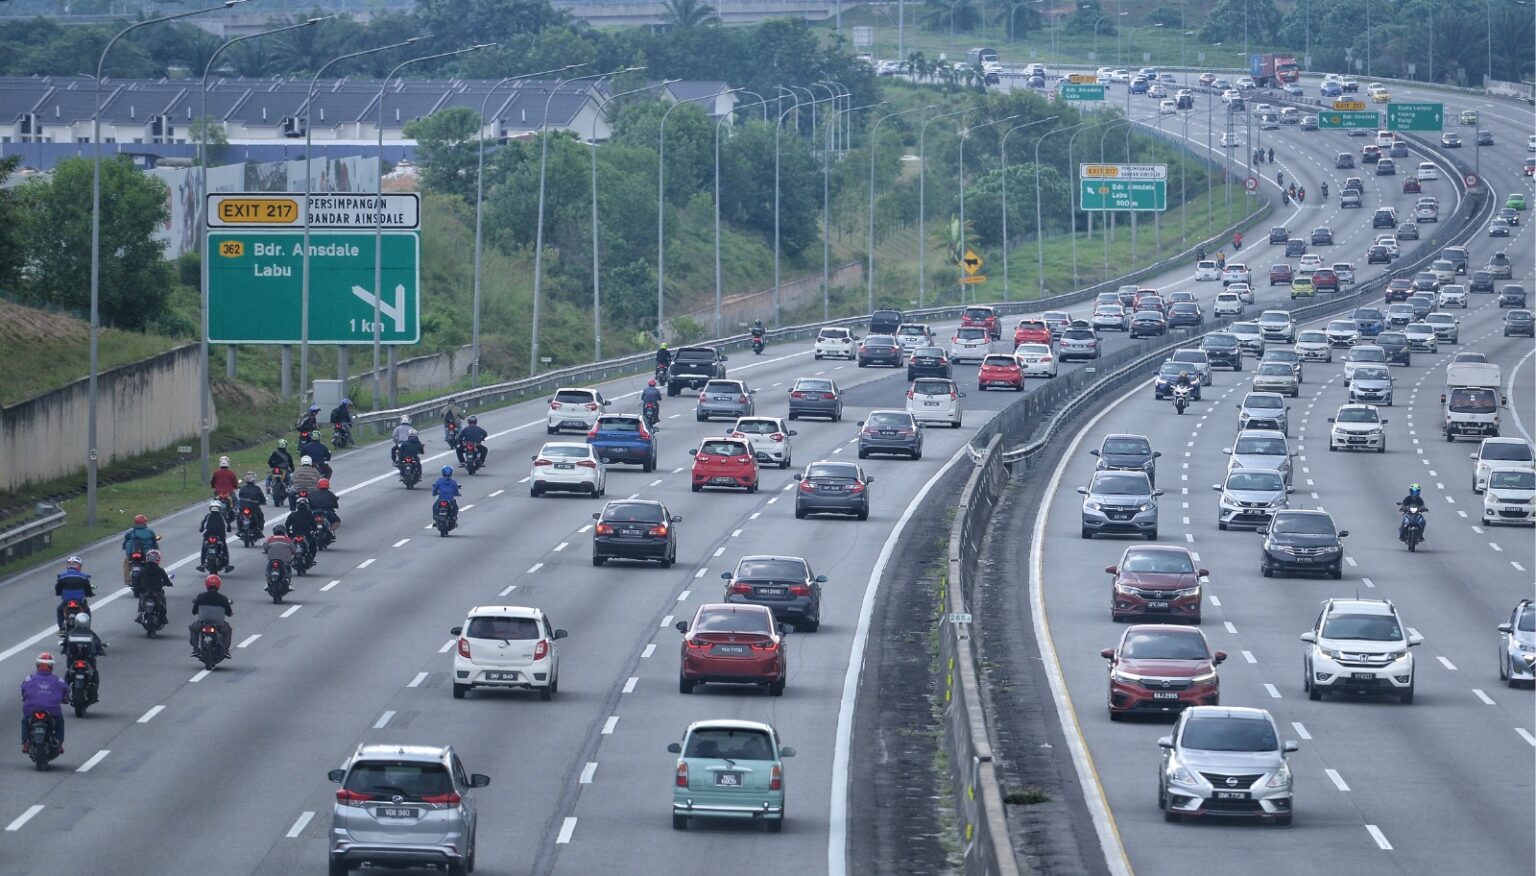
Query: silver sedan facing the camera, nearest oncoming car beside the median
(1225, 763)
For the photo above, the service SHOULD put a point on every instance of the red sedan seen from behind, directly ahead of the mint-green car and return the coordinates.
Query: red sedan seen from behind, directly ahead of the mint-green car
(733, 645)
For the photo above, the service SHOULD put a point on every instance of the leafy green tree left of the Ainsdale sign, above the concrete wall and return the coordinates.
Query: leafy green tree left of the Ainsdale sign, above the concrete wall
(136, 277)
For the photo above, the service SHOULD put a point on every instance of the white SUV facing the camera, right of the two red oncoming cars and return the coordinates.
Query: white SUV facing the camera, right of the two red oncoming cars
(1359, 646)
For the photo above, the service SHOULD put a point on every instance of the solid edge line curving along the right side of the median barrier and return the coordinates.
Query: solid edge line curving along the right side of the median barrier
(1110, 840)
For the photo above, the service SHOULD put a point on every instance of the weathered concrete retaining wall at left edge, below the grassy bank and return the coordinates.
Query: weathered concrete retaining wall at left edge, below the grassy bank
(144, 406)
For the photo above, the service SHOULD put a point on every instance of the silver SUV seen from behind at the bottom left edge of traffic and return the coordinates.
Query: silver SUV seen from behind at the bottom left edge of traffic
(405, 806)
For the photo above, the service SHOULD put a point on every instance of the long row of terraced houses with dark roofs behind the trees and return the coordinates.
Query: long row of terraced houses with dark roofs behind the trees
(61, 110)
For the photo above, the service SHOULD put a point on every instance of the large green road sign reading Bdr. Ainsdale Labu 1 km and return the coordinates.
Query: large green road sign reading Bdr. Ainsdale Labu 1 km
(256, 288)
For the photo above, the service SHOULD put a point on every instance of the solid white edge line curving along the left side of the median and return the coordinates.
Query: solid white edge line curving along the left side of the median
(838, 818)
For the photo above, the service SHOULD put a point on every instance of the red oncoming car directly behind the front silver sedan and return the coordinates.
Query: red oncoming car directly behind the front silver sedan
(1160, 668)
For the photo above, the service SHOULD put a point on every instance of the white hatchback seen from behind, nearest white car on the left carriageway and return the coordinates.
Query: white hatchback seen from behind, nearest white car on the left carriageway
(508, 648)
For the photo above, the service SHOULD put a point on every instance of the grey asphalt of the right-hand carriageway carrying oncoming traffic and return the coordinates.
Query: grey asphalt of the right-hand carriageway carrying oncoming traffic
(1442, 786)
